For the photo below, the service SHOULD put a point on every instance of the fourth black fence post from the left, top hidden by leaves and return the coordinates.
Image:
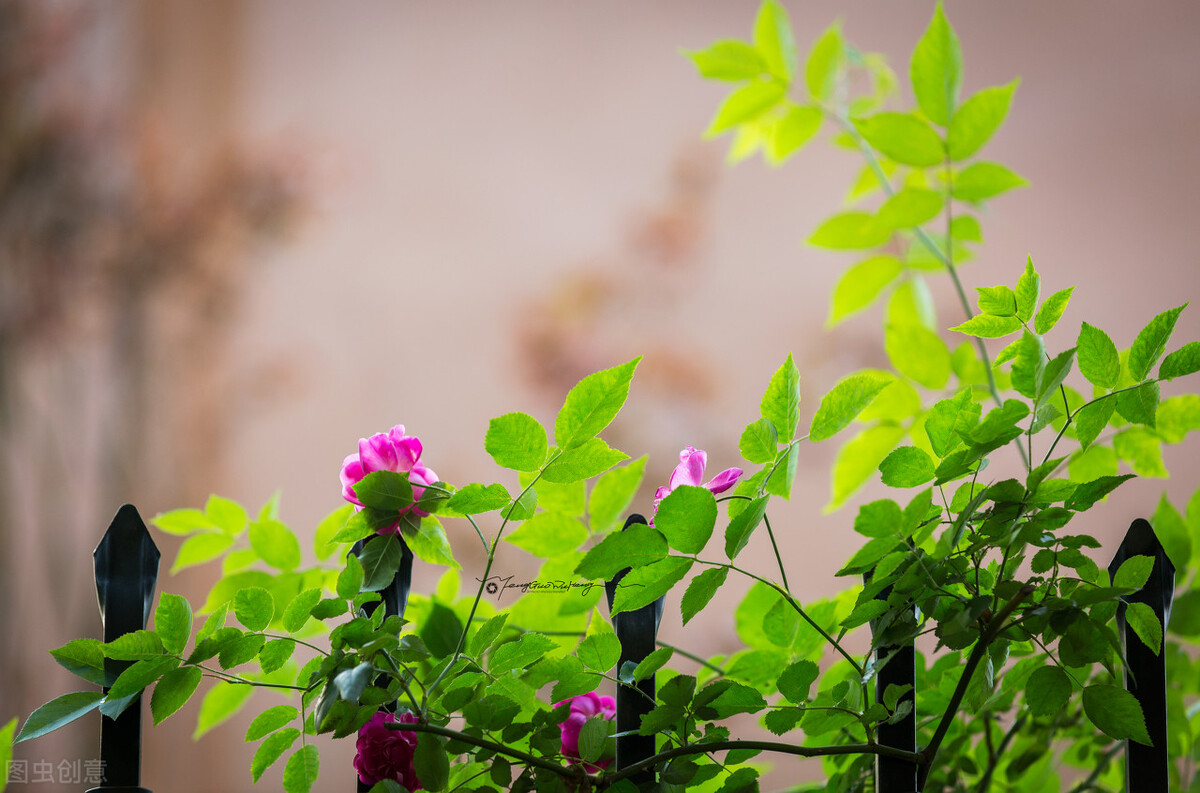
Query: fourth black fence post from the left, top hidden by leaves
(898, 668)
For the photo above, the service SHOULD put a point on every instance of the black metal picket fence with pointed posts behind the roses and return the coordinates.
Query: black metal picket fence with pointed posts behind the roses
(127, 563)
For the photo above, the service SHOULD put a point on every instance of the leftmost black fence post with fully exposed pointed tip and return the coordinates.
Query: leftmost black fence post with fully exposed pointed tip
(127, 564)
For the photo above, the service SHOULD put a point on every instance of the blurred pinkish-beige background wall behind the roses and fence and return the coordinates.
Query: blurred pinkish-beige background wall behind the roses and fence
(238, 236)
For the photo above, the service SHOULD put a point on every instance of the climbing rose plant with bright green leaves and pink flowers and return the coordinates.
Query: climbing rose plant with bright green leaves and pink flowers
(1018, 677)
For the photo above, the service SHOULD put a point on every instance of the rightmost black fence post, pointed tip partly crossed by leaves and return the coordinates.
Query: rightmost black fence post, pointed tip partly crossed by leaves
(1147, 767)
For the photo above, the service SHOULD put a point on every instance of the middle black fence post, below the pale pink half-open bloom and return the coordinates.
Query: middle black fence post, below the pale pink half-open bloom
(638, 632)
